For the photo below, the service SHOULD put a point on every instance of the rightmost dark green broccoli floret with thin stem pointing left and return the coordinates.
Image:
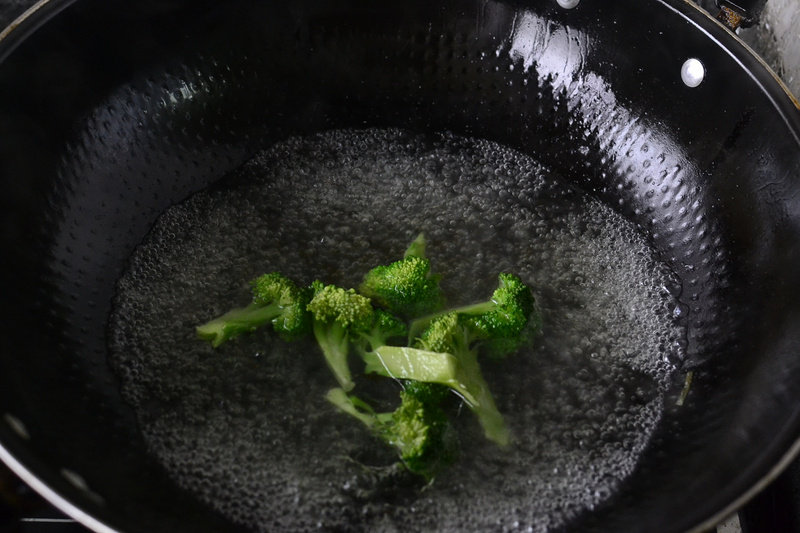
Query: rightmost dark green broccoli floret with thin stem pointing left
(502, 322)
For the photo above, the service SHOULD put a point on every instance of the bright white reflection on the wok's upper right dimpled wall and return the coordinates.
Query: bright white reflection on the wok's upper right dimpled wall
(557, 56)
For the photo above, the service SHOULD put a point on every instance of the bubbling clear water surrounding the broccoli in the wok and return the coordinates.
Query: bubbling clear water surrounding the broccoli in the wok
(246, 428)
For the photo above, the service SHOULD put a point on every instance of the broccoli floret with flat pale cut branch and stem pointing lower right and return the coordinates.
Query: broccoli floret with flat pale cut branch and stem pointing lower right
(445, 354)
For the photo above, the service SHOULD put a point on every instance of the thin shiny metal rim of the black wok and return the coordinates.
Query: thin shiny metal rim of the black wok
(787, 104)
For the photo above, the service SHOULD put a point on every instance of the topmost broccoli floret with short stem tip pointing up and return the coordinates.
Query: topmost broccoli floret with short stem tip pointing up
(405, 287)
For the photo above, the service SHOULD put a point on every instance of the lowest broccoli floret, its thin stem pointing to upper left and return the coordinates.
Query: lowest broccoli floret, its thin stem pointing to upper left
(418, 429)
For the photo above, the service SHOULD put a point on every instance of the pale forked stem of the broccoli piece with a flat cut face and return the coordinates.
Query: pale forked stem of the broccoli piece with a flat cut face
(462, 374)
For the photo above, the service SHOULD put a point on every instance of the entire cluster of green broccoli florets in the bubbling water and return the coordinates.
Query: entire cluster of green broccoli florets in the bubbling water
(440, 354)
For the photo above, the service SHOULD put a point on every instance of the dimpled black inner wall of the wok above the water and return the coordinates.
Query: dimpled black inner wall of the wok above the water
(104, 129)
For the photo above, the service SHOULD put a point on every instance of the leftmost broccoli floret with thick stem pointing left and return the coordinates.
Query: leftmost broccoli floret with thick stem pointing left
(276, 300)
